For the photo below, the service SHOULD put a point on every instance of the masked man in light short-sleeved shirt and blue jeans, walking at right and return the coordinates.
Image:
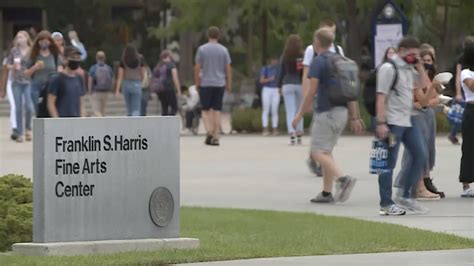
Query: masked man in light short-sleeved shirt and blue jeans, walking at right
(395, 124)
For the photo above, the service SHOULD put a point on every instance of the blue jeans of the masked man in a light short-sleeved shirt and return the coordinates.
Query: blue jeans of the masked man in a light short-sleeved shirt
(413, 142)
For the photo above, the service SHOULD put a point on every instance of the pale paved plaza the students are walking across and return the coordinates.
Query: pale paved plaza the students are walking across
(254, 172)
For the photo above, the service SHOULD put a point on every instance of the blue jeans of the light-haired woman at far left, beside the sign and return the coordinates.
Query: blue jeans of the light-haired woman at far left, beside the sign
(22, 92)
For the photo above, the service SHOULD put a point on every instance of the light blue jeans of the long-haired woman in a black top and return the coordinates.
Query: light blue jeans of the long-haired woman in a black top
(293, 96)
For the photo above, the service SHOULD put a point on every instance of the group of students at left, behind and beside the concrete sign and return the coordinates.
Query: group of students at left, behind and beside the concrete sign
(43, 76)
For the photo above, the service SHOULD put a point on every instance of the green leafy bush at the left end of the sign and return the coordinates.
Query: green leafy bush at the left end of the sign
(16, 197)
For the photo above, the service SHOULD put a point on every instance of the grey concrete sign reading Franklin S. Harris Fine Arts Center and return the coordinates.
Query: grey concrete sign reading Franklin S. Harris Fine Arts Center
(105, 180)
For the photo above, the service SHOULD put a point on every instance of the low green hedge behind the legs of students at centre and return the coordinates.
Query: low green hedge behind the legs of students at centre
(249, 120)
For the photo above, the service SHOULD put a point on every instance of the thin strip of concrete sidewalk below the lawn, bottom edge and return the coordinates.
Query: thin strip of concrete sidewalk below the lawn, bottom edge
(443, 257)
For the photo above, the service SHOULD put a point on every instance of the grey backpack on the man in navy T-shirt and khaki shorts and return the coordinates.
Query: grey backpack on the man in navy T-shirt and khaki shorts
(344, 84)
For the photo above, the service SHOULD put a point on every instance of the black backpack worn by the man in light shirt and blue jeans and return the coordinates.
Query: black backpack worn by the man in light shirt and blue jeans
(370, 91)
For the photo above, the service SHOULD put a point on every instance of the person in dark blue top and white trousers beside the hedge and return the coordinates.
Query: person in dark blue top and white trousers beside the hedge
(270, 96)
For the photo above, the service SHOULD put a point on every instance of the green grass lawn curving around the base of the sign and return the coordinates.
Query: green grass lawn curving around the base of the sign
(235, 234)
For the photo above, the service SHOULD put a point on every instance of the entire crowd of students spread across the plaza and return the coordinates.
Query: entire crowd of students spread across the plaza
(402, 95)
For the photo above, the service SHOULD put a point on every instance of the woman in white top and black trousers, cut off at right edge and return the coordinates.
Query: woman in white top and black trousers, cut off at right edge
(466, 175)
